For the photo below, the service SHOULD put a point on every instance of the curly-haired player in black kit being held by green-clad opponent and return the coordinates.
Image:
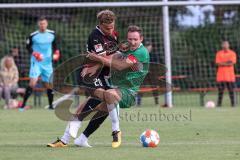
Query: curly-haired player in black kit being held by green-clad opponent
(103, 34)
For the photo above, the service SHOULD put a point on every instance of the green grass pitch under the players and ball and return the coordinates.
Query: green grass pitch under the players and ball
(205, 134)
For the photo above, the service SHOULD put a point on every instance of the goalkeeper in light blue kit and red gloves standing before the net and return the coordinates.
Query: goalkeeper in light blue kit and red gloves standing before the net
(41, 44)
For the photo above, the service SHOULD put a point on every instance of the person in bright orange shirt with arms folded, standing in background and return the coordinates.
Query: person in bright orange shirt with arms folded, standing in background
(225, 60)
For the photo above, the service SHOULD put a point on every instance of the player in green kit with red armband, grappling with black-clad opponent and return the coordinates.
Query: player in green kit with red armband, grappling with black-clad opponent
(128, 71)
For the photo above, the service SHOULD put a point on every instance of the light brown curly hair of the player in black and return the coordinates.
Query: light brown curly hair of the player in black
(106, 16)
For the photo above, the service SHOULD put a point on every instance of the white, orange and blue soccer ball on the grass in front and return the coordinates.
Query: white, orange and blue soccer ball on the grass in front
(149, 138)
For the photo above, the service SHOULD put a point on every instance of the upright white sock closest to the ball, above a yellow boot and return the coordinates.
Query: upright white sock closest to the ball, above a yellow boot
(114, 117)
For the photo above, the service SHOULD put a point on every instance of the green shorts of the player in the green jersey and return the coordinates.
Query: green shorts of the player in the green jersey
(128, 98)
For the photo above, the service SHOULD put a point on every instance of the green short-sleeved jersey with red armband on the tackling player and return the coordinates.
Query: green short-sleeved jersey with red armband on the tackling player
(132, 78)
